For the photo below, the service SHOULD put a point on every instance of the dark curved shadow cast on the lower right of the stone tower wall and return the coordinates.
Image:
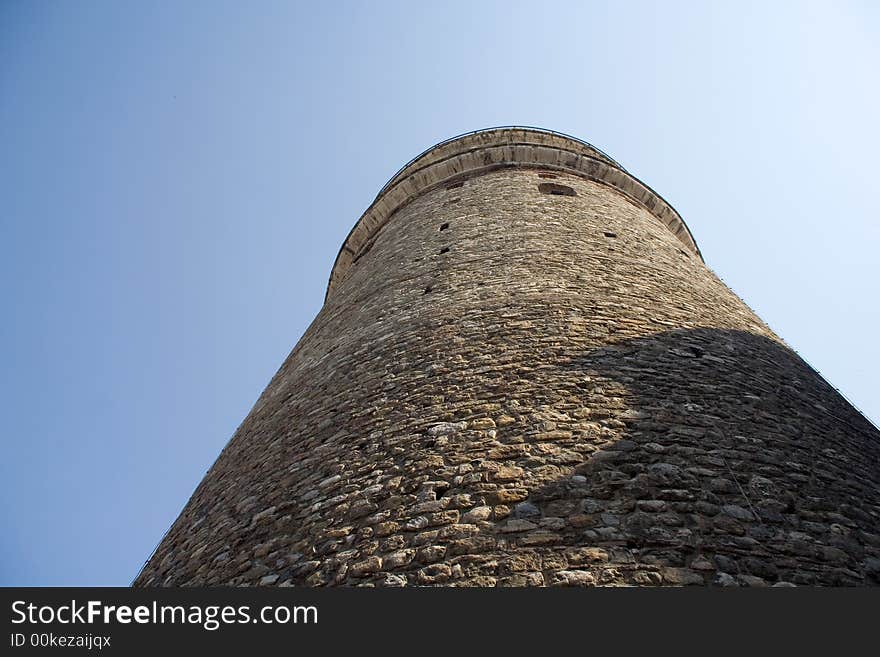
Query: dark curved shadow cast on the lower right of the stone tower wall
(722, 458)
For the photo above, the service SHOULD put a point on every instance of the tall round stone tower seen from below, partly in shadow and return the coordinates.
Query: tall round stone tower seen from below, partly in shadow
(524, 374)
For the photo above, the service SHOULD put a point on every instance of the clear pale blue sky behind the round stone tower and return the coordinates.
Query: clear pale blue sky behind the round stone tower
(176, 179)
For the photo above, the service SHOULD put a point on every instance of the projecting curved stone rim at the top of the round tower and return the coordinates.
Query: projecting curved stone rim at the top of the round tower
(480, 151)
